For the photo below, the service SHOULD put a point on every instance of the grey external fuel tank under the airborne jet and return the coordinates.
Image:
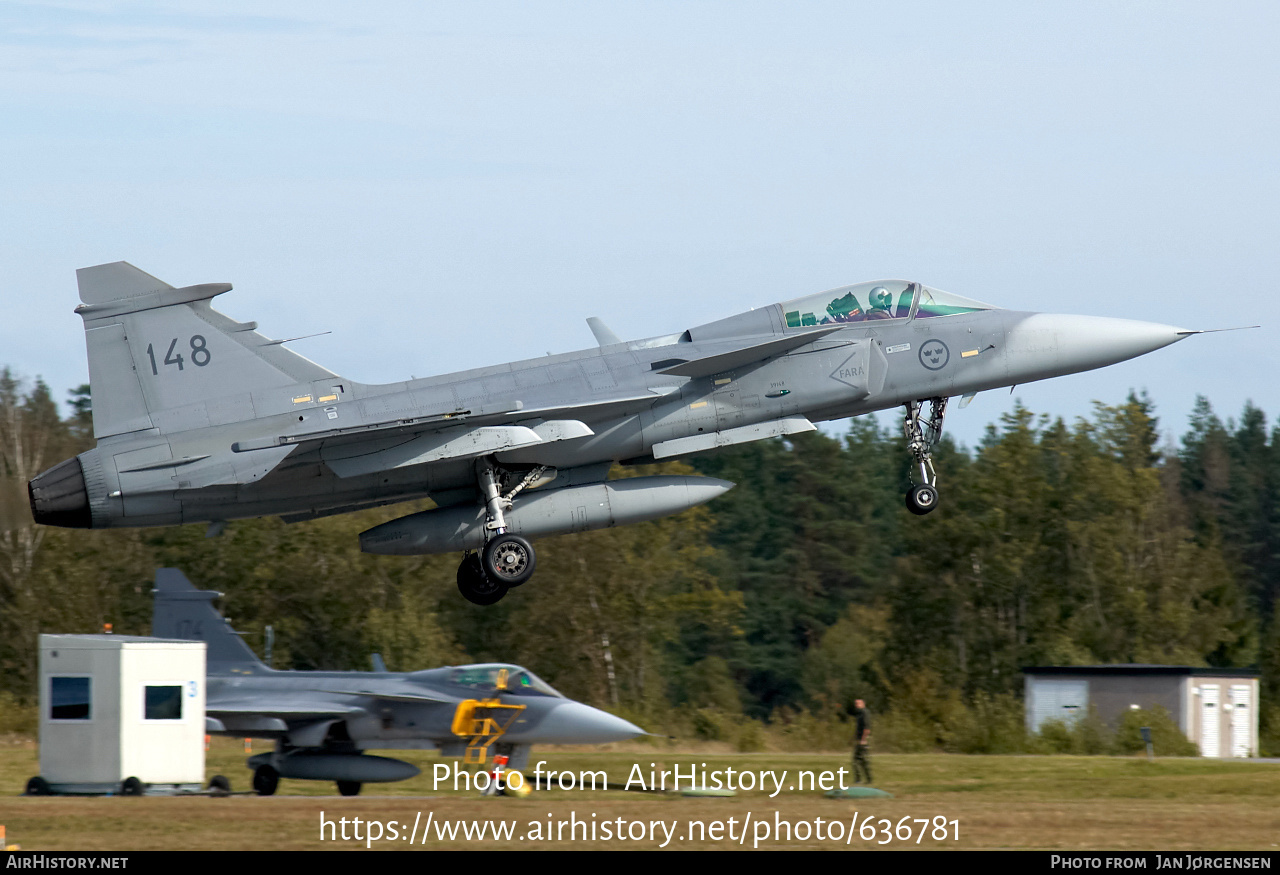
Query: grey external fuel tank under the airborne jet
(541, 514)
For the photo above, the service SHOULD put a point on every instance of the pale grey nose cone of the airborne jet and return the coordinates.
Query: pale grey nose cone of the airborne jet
(1043, 346)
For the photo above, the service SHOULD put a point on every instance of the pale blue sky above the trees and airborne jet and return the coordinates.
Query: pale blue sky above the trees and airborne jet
(455, 185)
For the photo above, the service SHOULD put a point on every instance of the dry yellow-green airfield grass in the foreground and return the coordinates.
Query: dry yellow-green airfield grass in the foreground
(1059, 803)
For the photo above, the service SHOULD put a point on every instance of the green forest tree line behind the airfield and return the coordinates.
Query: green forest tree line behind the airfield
(769, 611)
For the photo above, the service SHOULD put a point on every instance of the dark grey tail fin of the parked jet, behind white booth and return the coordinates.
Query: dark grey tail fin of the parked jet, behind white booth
(186, 613)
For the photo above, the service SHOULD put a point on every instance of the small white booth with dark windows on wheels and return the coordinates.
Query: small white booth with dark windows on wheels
(121, 714)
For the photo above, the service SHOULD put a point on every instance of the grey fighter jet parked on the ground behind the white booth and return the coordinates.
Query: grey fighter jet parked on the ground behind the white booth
(323, 722)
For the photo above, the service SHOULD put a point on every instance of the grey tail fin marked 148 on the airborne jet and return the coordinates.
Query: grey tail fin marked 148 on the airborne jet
(164, 359)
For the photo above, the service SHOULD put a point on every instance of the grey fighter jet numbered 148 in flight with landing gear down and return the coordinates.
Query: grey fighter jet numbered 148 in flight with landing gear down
(202, 419)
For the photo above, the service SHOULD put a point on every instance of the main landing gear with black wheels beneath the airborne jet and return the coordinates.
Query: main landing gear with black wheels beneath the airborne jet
(506, 560)
